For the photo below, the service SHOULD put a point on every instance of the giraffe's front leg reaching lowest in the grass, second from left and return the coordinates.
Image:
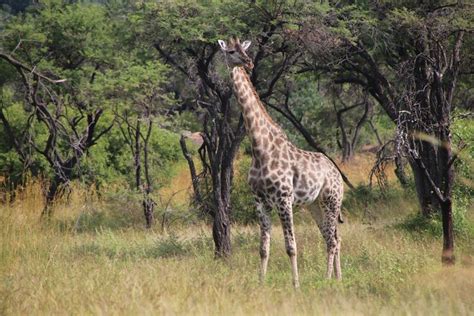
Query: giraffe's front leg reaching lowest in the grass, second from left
(285, 212)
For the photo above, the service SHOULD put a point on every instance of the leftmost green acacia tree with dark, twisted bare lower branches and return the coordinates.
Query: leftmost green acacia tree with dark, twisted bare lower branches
(57, 51)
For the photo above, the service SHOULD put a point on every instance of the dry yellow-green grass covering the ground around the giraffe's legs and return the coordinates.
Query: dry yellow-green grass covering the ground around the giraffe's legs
(95, 257)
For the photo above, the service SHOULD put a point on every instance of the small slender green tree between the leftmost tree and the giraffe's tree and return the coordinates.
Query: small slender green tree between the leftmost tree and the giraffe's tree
(137, 90)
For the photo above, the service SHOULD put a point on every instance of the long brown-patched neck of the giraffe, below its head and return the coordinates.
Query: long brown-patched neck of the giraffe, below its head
(258, 123)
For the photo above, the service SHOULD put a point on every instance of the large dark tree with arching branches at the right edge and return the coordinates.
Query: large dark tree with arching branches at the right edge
(408, 57)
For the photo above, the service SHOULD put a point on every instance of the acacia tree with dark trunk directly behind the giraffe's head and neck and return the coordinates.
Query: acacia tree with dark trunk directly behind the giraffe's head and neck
(185, 35)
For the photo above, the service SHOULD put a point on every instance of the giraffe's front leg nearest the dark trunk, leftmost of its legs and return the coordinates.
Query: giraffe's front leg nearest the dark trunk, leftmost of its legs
(265, 231)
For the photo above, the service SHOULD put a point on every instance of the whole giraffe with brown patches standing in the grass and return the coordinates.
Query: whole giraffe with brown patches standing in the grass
(282, 175)
